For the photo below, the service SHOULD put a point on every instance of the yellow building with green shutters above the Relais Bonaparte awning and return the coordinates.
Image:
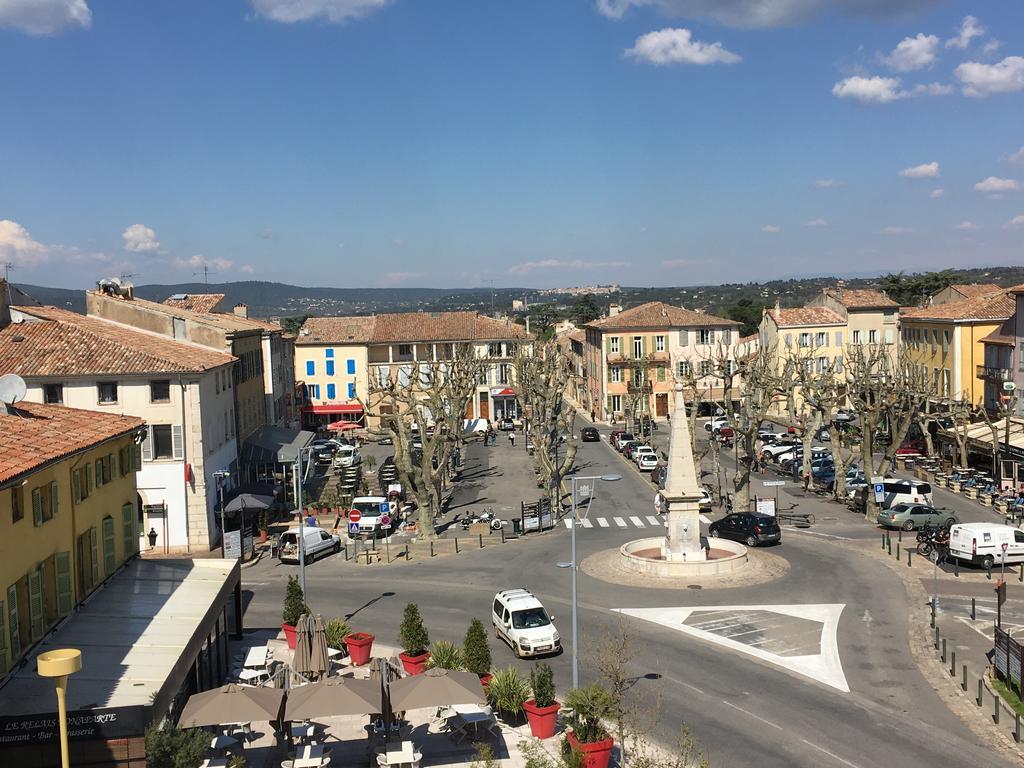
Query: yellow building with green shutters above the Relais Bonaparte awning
(68, 516)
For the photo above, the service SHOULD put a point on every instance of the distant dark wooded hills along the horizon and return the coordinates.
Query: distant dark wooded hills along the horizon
(282, 301)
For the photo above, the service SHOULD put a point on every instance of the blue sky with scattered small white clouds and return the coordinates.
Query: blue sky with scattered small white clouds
(536, 143)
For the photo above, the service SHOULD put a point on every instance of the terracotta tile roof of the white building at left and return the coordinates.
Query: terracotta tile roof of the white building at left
(66, 344)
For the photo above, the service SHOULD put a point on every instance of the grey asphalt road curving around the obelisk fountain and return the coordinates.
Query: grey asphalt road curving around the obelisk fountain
(744, 710)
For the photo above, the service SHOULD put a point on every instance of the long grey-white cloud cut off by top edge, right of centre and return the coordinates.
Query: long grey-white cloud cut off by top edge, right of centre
(762, 13)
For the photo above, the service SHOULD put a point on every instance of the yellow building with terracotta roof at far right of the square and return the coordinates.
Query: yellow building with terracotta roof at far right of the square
(948, 343)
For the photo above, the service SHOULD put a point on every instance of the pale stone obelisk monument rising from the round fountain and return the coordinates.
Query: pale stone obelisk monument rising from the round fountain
(682, 491)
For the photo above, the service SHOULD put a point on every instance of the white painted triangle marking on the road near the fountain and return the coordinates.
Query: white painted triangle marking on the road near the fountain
(825, 667)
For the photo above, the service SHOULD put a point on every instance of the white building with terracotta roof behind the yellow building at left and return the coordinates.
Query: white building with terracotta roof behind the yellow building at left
(183, 391)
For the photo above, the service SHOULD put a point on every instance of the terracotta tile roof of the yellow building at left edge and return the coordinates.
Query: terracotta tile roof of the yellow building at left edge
(33, 435)
